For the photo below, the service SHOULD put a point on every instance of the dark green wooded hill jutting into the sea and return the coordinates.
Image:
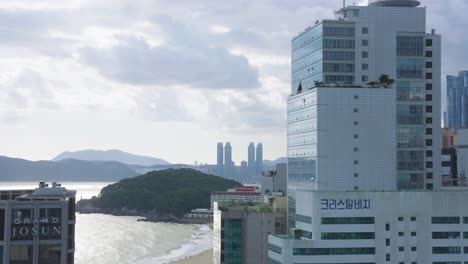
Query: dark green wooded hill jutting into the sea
(164, 195)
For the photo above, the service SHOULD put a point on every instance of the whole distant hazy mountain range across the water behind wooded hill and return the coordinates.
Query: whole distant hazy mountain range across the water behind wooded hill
(94, 165)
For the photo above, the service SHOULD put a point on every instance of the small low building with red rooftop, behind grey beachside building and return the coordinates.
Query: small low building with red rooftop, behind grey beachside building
(240, 194)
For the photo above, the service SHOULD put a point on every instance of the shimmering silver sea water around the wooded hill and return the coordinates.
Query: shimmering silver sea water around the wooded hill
(107, 239)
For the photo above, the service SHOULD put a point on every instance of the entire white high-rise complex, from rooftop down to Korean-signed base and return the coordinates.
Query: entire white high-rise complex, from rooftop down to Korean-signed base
(363, 154)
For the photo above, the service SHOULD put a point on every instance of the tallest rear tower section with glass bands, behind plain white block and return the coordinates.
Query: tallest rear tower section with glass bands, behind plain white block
(364, 42)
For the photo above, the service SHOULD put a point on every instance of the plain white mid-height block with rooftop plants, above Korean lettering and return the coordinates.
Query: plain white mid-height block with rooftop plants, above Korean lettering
(344, 132)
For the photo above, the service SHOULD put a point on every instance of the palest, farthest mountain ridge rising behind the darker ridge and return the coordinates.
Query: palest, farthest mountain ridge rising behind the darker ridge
(110, 155)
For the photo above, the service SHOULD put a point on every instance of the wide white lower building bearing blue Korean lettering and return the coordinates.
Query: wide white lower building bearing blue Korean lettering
(396, 227)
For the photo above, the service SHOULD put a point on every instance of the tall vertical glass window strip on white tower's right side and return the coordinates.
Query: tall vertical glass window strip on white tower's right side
(410, 86)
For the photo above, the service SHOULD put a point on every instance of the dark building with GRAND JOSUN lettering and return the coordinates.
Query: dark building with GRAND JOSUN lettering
(38, 226)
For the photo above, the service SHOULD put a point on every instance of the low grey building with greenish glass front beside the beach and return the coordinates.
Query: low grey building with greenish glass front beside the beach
(240, 232)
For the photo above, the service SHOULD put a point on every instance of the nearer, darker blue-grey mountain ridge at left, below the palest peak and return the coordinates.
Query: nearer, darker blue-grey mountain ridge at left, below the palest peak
(13, 169)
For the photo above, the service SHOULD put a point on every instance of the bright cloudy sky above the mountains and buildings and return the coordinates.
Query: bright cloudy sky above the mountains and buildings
(163, 78)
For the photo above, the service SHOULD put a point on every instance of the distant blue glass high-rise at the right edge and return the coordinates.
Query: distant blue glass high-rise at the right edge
(457, 101)
